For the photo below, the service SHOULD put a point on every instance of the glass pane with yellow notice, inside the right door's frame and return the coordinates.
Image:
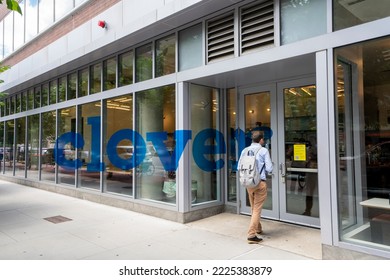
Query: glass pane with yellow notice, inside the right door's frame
(301, 151)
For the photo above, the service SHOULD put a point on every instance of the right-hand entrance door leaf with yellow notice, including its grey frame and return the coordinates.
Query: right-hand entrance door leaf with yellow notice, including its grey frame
(297, 146)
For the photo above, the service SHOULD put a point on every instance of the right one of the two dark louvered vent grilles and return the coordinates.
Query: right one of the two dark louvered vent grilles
(257, 26)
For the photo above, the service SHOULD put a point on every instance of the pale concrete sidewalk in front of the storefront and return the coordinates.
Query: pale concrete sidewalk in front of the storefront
(40, 225)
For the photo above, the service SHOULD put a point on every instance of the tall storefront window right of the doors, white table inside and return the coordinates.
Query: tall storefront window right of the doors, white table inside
(363, 141)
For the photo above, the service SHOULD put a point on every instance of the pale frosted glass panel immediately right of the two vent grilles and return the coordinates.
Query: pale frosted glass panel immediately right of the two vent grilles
(302, 19)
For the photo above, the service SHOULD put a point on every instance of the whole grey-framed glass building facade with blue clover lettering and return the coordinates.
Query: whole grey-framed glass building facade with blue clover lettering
(145, 105)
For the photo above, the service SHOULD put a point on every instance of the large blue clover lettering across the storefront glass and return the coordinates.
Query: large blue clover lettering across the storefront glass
(205, 155)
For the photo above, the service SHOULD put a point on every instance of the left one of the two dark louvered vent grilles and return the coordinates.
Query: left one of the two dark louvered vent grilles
(220, 38)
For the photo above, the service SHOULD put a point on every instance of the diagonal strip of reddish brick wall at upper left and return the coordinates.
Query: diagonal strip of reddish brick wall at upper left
(72, 21)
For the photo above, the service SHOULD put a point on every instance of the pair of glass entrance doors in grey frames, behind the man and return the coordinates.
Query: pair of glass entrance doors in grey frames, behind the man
(286, 112)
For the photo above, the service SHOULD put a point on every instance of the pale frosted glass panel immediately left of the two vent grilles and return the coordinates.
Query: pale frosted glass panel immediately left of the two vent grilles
(190, 47)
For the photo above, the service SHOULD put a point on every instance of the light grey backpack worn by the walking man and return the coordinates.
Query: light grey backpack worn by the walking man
(248, 171)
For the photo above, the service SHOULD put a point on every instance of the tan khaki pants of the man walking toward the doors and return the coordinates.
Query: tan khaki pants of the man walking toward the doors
(257, 196)
